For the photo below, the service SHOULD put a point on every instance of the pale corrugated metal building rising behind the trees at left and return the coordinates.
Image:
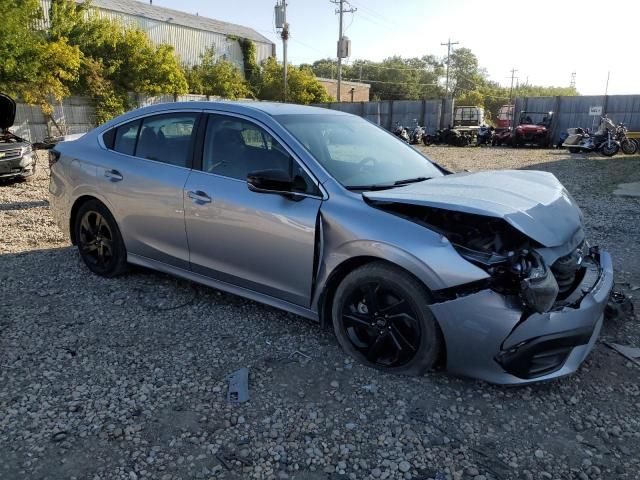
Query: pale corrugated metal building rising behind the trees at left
(190, 35)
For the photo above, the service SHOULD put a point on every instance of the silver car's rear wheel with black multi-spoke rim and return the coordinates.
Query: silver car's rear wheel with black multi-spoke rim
(99, 240)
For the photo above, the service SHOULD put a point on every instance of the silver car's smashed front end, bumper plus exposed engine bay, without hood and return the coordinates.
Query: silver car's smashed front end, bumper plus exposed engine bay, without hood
(538, 313)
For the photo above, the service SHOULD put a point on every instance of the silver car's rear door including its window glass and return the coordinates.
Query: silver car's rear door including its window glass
(144, 179)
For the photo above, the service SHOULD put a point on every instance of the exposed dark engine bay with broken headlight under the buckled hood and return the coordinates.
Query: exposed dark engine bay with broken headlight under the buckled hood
(509, 256)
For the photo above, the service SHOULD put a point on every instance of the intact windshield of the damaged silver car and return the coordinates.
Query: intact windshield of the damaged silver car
(357, 153)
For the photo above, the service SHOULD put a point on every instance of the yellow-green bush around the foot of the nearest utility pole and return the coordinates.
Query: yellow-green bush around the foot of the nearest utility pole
(303, 87)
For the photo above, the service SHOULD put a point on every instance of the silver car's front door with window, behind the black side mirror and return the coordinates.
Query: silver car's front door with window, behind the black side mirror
(263, 242)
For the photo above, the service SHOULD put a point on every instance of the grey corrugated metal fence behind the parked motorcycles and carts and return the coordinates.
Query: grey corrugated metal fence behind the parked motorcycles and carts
(568, 111)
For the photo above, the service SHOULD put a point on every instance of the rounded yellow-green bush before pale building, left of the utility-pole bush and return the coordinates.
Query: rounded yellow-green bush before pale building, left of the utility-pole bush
(217, 77)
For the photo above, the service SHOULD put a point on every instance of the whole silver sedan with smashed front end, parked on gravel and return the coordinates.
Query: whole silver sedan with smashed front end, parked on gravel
(328, 216)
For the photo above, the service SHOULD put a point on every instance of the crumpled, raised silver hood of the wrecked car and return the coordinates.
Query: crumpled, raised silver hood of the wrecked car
(535, 203)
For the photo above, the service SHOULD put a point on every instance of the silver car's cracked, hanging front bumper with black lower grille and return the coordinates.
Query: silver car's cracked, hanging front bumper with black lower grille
(489, 336)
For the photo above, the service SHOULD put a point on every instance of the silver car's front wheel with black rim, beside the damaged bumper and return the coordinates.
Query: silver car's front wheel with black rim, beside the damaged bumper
(399, 334)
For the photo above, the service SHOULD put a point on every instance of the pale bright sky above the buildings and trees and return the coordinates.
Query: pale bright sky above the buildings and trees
(544, 40)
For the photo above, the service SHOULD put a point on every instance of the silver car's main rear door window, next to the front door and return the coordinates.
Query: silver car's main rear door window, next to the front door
(167, 138)
